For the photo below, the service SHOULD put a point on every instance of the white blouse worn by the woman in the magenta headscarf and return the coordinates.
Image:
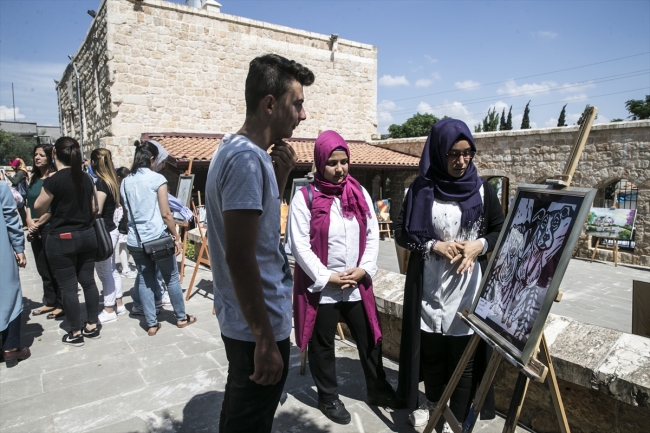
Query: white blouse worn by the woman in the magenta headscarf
(343, 248)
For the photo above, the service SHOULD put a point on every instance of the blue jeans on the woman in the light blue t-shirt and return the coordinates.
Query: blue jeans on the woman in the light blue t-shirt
(146, 282)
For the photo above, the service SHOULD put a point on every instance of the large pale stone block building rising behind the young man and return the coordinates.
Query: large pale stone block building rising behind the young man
(152, 65)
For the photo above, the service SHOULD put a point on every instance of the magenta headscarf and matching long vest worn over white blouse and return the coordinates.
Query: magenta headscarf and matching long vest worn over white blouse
(354, 205)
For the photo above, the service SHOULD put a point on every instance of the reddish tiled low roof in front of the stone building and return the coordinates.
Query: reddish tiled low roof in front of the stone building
(200, 147)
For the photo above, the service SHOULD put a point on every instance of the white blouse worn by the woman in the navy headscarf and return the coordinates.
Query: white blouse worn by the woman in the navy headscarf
(444, 292)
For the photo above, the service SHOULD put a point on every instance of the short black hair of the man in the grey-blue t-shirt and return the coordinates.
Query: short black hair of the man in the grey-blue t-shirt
(272, 75)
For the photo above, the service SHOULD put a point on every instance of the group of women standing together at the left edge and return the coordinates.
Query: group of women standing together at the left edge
(61, 205)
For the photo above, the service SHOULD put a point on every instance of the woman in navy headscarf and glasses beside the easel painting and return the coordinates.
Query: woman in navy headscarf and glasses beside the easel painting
(450, 220)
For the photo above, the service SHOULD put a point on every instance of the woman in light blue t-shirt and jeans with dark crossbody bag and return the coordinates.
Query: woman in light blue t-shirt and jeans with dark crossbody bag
(152, 239)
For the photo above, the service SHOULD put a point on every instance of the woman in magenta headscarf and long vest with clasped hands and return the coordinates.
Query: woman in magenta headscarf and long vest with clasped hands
(335, 240)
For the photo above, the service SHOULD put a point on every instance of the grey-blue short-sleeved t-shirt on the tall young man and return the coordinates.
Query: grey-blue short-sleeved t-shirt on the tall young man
(241, 177)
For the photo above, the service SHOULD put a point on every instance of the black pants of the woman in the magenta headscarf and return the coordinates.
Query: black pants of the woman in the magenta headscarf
(322, 358)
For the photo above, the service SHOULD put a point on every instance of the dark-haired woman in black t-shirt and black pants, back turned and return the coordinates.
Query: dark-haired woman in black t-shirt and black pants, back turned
(72, 243)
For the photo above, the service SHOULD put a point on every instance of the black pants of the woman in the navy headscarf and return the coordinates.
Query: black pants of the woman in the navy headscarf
(439, 356)
